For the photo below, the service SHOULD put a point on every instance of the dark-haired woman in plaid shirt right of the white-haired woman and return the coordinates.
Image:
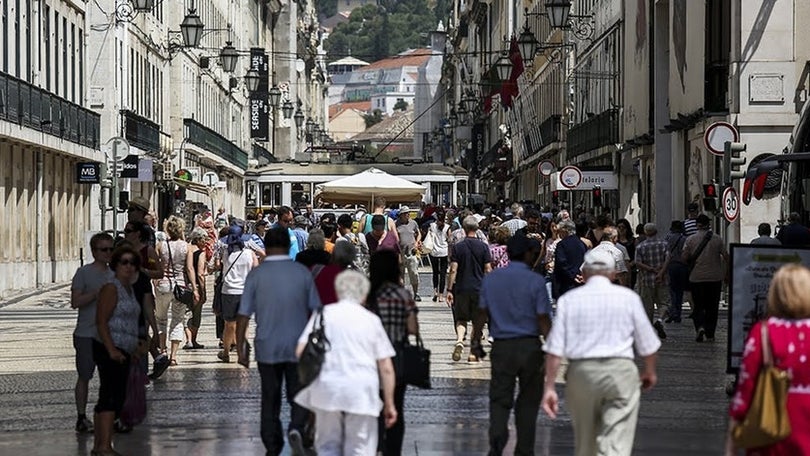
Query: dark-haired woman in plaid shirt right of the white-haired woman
(397, 311)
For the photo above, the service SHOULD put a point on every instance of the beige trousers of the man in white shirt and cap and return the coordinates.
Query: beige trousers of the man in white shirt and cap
(603, 398)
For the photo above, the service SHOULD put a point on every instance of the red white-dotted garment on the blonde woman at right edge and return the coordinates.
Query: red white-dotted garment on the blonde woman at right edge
(790, 344)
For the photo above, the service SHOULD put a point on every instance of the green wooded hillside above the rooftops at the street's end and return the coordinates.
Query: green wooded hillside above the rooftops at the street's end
(376, 32)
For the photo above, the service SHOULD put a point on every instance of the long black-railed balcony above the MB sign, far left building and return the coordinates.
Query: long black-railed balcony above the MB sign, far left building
(29, 106)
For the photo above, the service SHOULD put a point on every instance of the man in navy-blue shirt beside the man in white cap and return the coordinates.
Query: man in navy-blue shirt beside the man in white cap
(518, 306)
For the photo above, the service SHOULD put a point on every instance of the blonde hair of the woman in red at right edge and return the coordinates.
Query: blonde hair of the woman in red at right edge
(788, 297)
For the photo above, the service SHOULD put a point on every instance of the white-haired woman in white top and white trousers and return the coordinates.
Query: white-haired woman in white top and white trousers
(346, 395)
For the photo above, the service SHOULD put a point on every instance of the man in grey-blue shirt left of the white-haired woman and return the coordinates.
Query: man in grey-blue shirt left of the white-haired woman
(282, 295)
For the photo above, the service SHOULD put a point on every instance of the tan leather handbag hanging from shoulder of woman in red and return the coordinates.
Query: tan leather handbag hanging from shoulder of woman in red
(767, 420)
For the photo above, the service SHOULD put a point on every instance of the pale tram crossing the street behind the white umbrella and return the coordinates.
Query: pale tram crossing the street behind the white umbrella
(294, 184)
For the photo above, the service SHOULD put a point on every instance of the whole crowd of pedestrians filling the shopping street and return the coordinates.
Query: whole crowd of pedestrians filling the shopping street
(549, 288)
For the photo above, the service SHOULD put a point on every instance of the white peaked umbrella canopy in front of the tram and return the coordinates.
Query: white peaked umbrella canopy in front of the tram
(361, 188)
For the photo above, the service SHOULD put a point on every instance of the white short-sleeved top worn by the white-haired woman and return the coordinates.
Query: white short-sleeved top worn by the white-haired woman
(349, 380)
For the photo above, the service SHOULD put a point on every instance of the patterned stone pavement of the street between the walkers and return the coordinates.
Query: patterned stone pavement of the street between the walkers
(205, 407)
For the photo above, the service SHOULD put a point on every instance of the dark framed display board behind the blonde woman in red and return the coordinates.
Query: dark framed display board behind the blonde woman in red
(752, 268)
